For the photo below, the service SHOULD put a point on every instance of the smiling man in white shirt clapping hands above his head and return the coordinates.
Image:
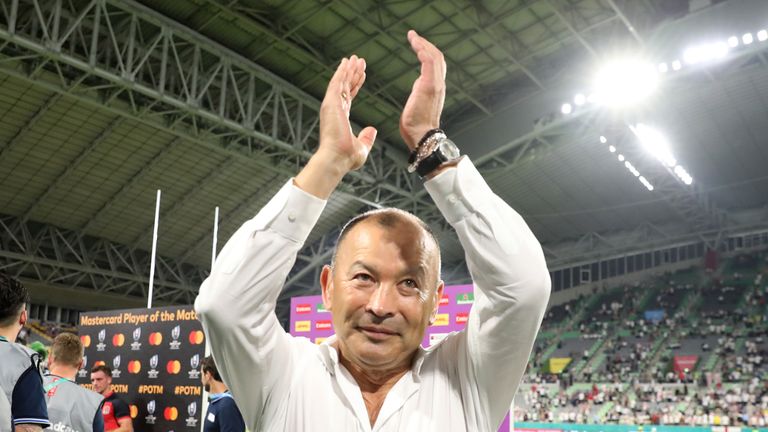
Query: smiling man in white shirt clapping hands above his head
(382, 287)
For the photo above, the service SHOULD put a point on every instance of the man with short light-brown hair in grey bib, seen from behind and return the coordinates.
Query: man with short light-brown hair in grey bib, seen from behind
(70, 407)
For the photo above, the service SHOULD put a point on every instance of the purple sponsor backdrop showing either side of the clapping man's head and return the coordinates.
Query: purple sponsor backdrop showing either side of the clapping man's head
(310, 319)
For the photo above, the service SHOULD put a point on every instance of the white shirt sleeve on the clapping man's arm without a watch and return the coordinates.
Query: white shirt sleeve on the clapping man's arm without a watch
(237, 301)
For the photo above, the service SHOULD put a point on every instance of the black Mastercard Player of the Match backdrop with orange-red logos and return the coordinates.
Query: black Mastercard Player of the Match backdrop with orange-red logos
(155, 355)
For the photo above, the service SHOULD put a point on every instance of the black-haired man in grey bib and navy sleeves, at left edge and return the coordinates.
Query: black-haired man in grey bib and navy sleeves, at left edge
(22, 401)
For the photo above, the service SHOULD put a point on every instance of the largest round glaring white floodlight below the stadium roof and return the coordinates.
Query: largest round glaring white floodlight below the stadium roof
(625, 82)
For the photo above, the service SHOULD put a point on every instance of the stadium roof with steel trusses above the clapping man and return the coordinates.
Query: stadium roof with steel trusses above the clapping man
(215, 103)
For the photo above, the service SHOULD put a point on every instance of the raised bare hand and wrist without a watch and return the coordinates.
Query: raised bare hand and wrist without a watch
(340, 151)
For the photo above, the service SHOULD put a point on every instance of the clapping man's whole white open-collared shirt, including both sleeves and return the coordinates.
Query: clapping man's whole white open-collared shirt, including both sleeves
(464, 383)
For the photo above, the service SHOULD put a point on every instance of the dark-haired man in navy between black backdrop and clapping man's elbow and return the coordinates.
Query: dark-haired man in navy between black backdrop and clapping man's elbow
(223, 414)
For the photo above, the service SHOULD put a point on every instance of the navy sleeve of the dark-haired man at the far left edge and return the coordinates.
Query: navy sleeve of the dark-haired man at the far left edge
(28, 404)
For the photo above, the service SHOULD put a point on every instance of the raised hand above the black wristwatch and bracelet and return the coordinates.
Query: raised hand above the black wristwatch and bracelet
(422, 111)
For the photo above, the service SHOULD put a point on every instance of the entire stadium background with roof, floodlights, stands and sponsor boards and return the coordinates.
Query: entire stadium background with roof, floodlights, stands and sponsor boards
(137, 136)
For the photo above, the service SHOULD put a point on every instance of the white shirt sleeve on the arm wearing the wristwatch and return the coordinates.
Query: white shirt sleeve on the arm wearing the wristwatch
(512, 289)
